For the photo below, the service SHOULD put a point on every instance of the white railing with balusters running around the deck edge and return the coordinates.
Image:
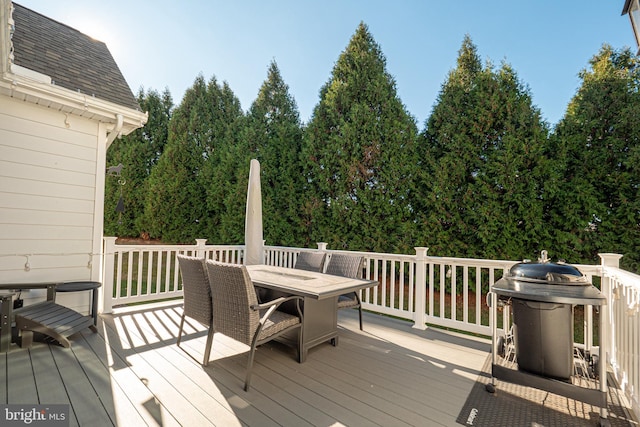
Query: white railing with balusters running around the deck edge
(442, 291)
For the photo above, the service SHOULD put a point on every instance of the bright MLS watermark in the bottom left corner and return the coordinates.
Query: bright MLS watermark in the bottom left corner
(34, 415)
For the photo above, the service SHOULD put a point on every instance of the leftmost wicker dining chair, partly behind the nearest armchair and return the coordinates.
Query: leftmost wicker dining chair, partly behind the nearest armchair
(197, 298)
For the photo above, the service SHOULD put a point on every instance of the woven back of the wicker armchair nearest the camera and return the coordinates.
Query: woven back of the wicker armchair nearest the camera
(233, 295)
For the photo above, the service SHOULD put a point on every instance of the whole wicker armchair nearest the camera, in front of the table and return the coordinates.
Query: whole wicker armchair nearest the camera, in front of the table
(238, 315)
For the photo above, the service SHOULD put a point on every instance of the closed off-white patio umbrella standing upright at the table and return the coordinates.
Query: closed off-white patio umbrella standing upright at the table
(253, 238)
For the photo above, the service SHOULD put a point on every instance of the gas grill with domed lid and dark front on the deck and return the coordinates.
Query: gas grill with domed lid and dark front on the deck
(538, 351)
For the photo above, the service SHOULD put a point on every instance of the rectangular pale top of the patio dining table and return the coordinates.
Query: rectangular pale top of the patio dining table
(305, 283)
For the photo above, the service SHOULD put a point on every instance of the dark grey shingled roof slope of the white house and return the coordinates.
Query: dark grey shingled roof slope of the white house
(73, 60)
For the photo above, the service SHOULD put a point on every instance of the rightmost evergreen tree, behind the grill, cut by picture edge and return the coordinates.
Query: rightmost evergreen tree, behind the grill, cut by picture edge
(595, 148)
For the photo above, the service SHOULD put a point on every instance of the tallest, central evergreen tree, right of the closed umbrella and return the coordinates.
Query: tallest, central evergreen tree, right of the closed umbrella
(358, 156)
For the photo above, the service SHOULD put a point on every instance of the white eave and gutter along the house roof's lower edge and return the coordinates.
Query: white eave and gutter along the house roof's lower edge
(23, 85)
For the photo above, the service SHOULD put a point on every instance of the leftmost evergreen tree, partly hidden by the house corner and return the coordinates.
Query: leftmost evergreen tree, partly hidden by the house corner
(138, 152)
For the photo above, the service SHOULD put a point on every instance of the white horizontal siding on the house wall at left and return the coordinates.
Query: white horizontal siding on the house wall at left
(49, 214)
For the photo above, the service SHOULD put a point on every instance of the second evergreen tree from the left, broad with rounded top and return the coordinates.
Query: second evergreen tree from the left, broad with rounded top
(176, 205)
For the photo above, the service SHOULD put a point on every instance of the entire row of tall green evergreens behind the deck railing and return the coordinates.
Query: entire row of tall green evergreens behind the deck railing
(484, 179)
